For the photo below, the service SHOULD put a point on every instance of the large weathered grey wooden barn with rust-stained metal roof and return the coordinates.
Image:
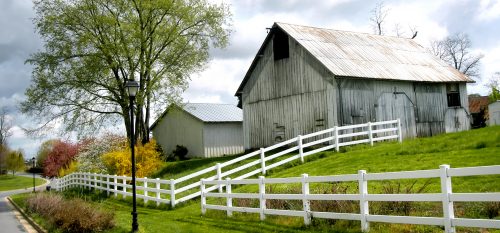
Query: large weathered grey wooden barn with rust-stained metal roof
(305, 79)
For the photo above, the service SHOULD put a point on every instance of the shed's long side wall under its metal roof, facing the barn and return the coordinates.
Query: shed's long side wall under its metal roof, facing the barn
(224, 138)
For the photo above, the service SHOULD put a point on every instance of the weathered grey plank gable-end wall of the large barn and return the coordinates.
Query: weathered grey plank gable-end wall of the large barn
(286, 97)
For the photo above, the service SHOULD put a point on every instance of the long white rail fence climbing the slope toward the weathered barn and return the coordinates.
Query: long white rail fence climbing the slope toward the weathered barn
(333, 138)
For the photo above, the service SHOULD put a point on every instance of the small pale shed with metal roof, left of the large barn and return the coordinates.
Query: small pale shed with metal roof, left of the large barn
(206, 130)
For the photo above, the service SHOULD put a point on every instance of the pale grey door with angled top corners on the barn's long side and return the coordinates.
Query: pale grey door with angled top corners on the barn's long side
(391, 106)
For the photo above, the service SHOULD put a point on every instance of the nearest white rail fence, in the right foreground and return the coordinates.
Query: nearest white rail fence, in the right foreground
(446, 197)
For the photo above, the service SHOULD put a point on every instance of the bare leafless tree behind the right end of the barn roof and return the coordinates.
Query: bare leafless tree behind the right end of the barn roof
(456, 51)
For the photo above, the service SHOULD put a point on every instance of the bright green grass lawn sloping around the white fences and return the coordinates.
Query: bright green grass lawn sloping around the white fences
(479, 147)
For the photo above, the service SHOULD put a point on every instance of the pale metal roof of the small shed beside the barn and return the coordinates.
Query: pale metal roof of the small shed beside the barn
(214, 112)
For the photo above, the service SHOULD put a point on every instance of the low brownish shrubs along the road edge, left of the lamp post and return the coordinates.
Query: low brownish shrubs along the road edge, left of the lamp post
(73, 215)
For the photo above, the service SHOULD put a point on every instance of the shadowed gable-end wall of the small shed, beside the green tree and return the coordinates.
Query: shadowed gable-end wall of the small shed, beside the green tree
(180, 128)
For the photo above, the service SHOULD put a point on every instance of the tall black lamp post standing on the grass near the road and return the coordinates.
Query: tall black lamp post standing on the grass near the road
(132, 87)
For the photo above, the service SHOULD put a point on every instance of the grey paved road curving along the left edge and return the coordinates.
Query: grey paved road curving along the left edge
(8, 220)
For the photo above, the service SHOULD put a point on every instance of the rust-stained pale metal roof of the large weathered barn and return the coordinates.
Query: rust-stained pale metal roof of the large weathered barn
(363, 55)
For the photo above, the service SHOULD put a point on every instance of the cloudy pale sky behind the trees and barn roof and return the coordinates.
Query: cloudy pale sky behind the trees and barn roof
(433, 19)
